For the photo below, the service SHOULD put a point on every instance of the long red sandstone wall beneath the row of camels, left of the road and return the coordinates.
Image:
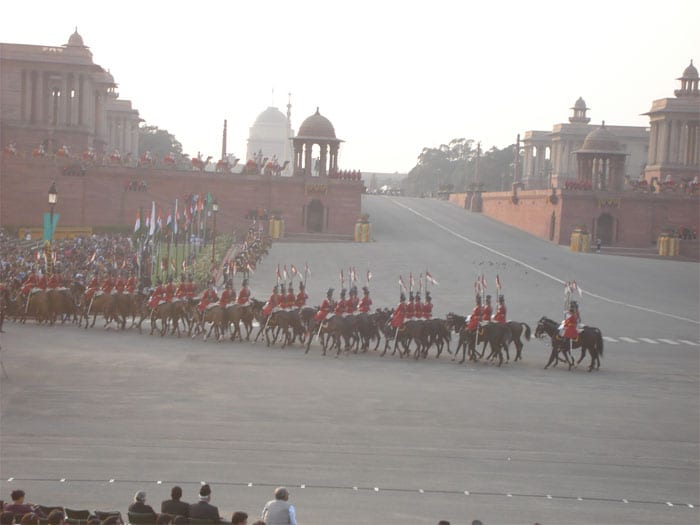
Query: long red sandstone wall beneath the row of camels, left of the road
(99, 199)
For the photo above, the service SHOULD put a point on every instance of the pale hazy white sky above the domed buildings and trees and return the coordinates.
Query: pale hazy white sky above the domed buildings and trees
(393, 77)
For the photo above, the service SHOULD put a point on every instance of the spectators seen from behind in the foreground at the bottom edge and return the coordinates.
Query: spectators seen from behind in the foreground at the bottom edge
(174, 511)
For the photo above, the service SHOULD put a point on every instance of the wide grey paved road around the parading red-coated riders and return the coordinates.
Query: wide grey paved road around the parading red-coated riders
(92, 406)
